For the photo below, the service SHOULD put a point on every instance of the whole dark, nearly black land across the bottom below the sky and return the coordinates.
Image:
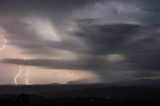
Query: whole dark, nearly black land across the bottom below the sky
(78, 95)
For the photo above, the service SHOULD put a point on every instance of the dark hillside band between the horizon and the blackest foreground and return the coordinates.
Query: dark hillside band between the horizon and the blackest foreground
(99, 89)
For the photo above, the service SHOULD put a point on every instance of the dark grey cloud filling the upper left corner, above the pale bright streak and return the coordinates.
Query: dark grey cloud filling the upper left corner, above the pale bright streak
(56, 10)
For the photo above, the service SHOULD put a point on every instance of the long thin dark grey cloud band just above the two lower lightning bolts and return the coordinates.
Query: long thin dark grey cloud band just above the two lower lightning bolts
(59, 64)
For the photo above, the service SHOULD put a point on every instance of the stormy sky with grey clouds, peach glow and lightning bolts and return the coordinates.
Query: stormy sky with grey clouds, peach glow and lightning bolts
(79, 41)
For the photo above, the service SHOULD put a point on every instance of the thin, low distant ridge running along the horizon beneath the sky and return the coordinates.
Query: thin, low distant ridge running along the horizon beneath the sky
(132, 83)
